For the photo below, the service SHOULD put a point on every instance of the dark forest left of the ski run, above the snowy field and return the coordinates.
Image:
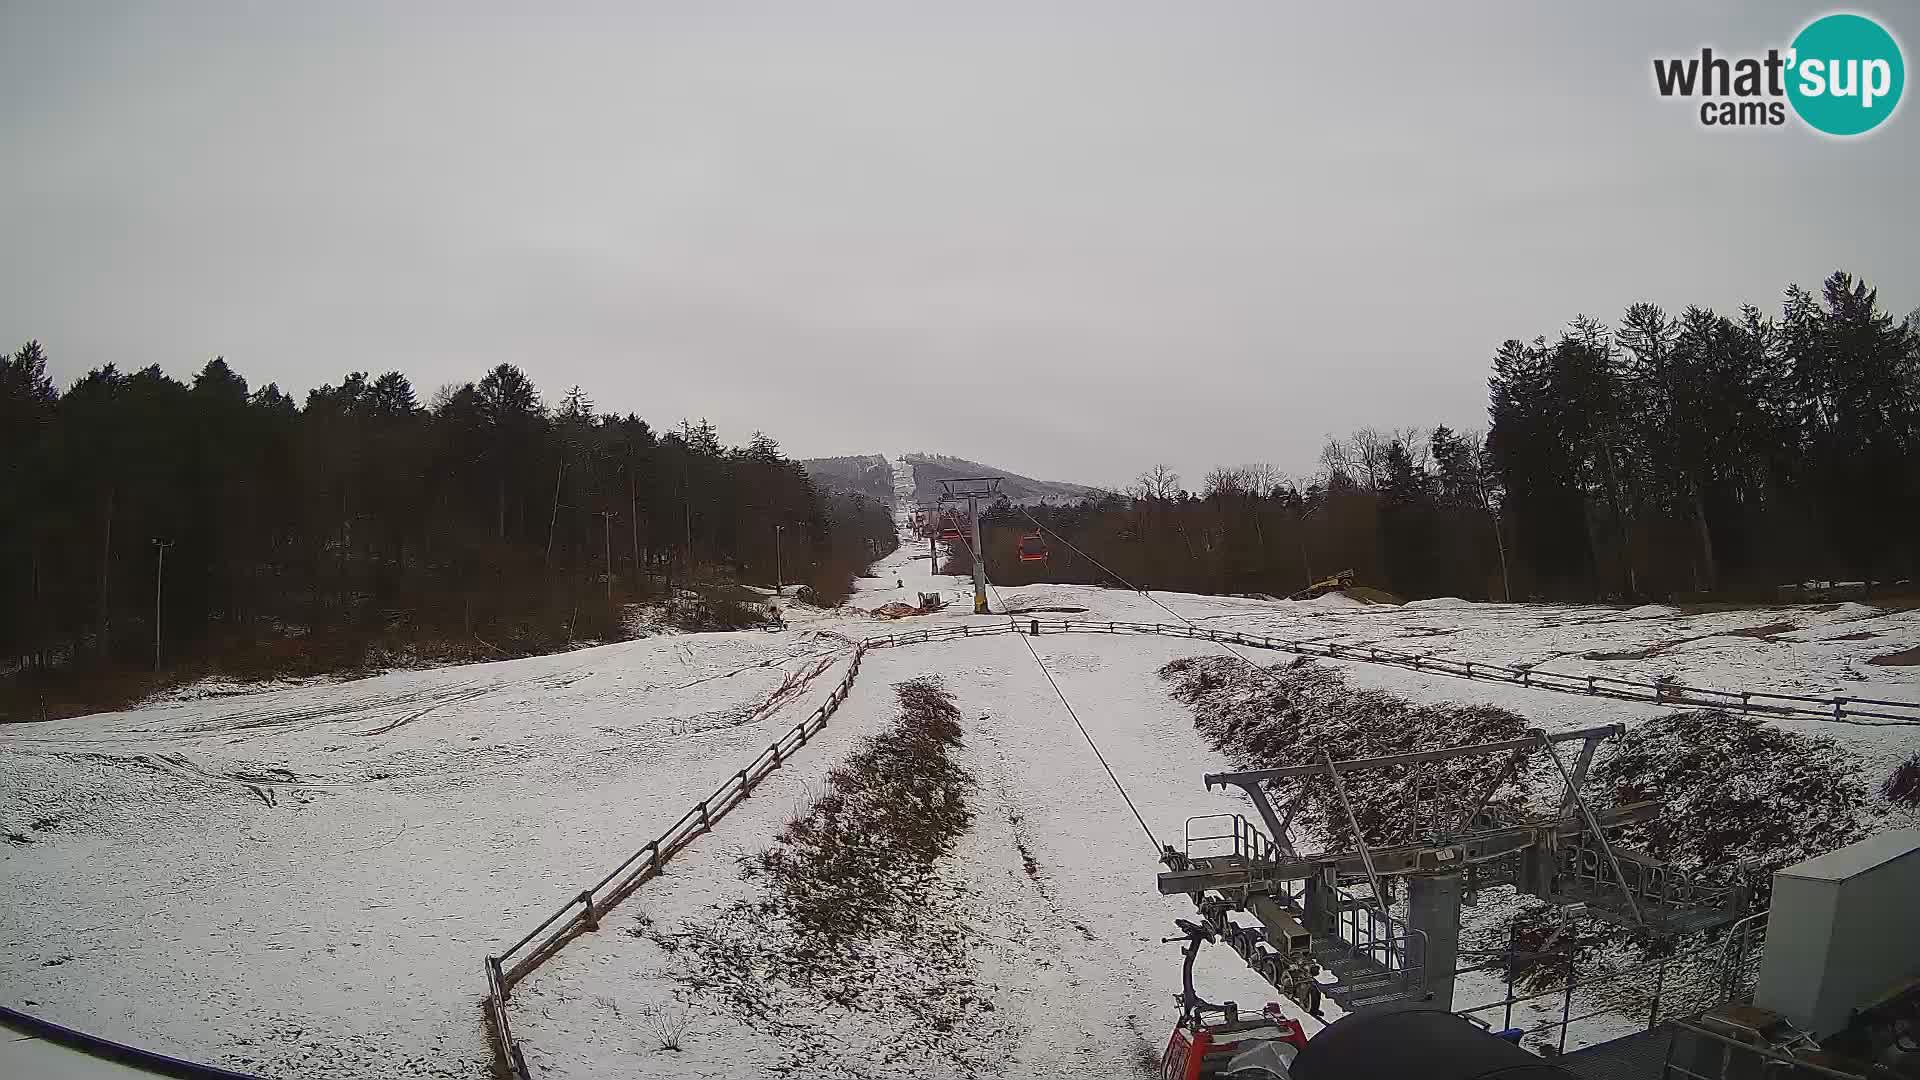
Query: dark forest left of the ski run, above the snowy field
(299, 535)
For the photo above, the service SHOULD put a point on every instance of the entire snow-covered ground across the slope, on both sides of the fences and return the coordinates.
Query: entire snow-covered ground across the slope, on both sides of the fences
(304, 881)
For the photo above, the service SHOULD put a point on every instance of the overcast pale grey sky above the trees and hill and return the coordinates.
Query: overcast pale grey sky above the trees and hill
(1067, 239)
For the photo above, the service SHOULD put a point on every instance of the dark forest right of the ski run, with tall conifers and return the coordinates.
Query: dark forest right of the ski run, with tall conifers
(1691, 454)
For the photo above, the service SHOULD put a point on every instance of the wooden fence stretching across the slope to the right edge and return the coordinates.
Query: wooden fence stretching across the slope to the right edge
(1871, 712)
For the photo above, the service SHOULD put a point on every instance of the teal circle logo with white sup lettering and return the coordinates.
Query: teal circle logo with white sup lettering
(1846, 74)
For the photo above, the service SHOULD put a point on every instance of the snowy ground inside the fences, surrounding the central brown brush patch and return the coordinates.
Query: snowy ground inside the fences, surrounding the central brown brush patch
(1067, 950)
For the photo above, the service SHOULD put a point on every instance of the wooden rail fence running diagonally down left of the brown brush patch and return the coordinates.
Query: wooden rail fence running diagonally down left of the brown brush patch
(583, 912)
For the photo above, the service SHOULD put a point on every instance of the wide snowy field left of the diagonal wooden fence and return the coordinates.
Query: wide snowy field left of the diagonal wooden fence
(304, 883)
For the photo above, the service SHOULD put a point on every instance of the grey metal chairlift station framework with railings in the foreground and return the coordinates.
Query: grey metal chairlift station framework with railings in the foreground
(1333, 912)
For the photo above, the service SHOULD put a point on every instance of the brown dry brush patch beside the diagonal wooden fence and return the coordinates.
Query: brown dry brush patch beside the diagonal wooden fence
(861, 952)
